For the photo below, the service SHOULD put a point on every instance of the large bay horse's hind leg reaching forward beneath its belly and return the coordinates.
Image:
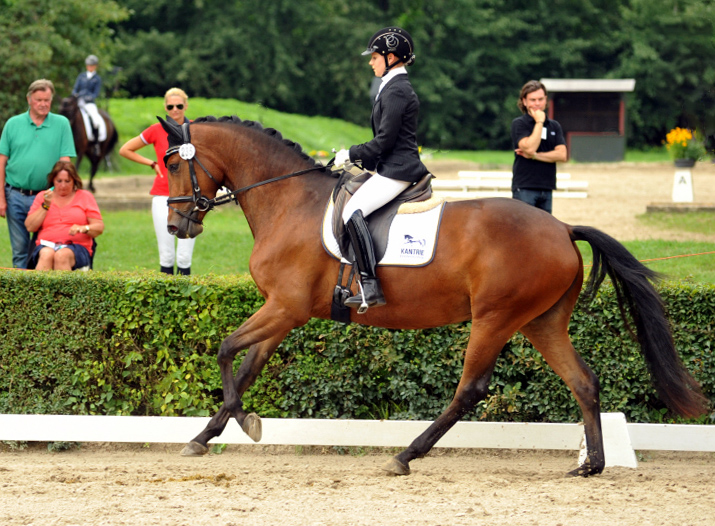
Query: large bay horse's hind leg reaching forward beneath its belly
(479, 362)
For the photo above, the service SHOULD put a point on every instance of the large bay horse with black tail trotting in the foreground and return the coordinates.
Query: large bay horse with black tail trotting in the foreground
(500, 263)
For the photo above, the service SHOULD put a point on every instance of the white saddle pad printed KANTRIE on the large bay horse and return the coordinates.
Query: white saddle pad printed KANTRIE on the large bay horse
(412, 239)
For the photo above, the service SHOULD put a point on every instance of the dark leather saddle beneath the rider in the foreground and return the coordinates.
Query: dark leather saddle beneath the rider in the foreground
(379, 221)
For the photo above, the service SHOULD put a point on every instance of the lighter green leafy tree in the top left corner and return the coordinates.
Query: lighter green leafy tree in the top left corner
(50, 39)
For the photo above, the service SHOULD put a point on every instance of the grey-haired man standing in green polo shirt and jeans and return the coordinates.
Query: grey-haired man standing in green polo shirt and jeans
(30, 145)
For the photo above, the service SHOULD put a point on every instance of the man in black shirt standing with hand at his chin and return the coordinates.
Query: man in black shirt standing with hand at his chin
(538, 144)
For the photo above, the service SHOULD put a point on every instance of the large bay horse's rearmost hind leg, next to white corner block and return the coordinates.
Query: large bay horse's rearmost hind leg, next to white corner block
(548, 333)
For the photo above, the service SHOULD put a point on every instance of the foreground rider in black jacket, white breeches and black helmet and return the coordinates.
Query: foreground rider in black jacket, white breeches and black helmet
(392, 154)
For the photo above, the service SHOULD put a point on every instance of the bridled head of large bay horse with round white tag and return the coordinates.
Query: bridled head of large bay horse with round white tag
(191, 187)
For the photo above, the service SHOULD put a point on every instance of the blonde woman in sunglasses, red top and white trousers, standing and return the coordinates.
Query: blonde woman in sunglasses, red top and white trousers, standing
(175, 103)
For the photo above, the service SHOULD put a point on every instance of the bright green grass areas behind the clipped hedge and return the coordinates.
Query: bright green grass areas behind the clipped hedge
(224, 247)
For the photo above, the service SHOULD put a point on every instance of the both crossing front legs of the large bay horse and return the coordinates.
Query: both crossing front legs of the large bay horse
(263, 332)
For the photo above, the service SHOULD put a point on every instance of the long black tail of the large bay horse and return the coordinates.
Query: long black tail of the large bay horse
(635, 293)
